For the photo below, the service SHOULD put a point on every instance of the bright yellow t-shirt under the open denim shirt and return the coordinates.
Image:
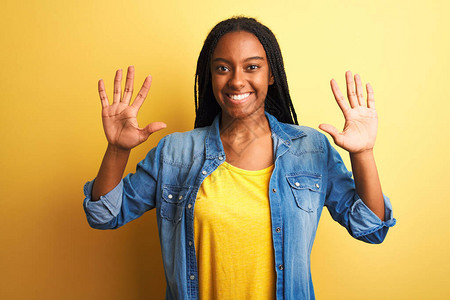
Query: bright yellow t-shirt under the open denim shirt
(233, 239)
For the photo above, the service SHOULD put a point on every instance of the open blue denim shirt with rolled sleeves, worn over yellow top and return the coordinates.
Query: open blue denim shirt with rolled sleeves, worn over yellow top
(308, 175)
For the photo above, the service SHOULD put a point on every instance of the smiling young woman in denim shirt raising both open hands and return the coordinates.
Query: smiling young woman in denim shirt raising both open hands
(238, 199)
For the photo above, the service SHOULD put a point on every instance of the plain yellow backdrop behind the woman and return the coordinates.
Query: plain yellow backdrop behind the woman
(54, 52)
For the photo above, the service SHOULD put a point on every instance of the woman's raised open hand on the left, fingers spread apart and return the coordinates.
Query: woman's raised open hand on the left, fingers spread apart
(119, 118)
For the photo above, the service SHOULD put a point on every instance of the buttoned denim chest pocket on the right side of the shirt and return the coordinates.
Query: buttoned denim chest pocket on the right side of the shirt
(306, 189)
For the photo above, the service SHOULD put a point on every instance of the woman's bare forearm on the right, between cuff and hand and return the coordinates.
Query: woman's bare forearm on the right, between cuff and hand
(367, 181)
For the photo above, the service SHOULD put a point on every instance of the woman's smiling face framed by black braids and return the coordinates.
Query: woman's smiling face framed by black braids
(240, 75)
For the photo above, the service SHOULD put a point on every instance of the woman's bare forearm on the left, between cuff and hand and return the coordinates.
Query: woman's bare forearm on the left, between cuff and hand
(111, 171)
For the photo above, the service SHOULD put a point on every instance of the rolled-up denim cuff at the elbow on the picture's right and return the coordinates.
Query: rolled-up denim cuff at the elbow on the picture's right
(365, 225)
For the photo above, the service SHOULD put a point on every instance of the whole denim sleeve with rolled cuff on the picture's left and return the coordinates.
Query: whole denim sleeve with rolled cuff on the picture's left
(132, 197)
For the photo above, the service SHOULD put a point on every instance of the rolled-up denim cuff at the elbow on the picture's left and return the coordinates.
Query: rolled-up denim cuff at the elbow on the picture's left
(106, 208)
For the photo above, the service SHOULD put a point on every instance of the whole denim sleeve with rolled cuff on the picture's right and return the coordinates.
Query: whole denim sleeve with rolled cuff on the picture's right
(347, 208)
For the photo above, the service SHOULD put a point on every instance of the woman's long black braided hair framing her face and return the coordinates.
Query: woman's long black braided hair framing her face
(278, 101)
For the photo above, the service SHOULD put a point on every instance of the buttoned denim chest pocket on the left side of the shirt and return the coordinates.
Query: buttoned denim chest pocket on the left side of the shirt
(173, 202)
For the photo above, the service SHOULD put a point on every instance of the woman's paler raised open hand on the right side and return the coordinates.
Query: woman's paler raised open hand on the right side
(361, 120)
